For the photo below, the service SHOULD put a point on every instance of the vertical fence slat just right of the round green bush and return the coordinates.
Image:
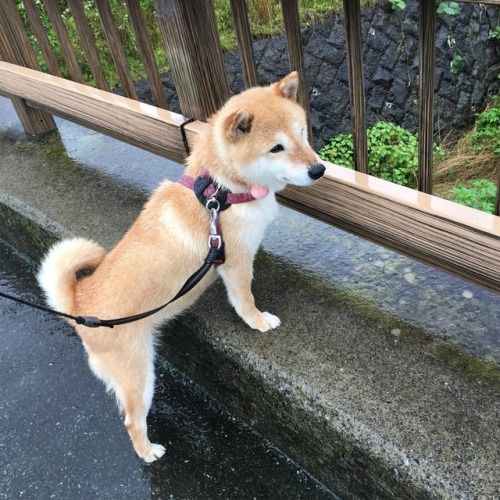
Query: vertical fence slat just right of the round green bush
(426, 93)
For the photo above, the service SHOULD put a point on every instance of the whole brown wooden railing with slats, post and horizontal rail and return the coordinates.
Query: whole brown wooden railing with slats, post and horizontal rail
(458, 239)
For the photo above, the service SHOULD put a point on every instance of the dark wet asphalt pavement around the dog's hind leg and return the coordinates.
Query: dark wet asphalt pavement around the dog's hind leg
(62, 437)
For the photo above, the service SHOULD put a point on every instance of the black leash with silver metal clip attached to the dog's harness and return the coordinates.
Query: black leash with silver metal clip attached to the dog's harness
(215, 253)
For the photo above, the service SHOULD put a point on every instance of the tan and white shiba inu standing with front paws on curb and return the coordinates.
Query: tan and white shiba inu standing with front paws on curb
(254, 146)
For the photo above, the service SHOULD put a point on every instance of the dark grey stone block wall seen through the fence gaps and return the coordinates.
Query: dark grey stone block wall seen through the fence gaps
(390, 41)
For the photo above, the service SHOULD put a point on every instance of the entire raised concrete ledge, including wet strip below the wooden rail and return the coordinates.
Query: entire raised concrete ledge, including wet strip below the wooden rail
(382, 381)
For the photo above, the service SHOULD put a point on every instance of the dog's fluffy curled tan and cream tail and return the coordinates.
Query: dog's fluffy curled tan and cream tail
(57, 275)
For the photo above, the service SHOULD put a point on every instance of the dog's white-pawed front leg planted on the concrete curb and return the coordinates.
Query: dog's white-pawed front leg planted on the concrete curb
(237, 277)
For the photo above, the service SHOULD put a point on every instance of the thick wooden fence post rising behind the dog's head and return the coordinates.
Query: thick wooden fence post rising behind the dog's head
(189, 31)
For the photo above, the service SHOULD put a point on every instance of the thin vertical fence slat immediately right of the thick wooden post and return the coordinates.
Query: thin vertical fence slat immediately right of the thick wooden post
(244, 36)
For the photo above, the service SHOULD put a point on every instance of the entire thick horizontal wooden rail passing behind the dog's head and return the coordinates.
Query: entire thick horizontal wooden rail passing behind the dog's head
(460, 240)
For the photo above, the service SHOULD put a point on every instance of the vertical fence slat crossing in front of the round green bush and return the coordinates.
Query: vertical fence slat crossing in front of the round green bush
(352, 13)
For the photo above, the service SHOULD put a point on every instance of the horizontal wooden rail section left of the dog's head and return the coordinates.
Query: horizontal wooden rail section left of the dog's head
(140, 124)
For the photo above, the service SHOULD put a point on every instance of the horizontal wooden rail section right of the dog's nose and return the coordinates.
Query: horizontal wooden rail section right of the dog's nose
(457, 239)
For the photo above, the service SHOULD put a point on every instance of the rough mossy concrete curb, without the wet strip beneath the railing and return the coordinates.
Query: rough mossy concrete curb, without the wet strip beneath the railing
(369, 404)
